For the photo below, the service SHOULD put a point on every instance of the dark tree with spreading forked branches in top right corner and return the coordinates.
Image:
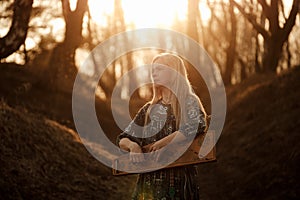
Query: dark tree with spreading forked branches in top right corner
(274, 34)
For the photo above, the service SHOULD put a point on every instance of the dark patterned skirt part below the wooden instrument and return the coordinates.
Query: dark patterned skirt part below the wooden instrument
(175, 183)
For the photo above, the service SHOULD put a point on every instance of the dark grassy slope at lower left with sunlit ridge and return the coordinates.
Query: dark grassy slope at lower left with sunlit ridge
(41, 159)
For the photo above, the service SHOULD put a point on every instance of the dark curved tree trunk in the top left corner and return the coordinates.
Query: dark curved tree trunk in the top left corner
(17, 33)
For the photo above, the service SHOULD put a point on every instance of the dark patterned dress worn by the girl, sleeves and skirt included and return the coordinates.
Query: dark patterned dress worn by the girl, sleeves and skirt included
(171, 183)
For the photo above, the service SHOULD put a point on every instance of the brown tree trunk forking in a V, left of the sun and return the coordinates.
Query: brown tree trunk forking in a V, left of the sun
(62, 63)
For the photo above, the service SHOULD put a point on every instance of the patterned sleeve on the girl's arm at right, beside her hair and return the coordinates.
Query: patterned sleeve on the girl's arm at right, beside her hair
(195, 123)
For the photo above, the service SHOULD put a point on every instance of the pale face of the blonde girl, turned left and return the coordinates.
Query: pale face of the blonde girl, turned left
(162, 74)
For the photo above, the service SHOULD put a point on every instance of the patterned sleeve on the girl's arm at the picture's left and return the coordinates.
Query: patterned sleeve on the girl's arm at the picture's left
(130, 131)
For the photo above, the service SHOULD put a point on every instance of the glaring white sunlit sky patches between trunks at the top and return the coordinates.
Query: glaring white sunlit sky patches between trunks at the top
(144, 13)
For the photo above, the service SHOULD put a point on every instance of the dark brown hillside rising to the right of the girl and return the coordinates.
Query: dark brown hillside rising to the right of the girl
(258, 152)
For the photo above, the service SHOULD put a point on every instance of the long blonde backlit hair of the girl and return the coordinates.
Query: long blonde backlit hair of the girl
(182, 90)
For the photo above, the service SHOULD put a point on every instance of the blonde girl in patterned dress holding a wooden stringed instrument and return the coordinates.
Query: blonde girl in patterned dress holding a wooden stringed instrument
(167, 117)
